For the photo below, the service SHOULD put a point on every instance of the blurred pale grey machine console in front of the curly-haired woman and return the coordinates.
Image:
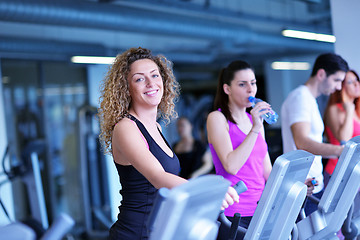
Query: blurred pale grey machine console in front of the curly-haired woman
(189, 211)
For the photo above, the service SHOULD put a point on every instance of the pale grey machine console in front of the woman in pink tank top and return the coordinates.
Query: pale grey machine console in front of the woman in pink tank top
(281, 200)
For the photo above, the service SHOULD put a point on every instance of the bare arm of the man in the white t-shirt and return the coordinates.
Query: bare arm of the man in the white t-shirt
(300, 132)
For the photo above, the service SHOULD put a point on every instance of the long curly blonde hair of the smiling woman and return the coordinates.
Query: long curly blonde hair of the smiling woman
(115, 97)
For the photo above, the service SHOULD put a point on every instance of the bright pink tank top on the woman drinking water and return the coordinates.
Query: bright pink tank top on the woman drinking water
(251, 173)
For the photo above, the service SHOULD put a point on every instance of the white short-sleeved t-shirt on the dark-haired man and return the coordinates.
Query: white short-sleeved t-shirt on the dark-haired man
(301, 106)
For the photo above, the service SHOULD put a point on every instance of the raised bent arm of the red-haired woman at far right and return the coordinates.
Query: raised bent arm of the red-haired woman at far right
(340, 122)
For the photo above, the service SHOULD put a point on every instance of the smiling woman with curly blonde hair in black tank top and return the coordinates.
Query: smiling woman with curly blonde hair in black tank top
(138, 89)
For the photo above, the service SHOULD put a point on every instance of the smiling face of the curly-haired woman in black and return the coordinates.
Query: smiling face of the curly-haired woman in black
(145, 83)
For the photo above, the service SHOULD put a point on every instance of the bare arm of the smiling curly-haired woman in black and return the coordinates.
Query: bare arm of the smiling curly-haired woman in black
(129, 148)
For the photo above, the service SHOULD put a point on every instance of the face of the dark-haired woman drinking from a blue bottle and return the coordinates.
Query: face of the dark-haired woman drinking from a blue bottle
(241, 88)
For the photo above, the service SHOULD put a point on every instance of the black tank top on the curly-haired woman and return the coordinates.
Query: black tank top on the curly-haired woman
(138, 193)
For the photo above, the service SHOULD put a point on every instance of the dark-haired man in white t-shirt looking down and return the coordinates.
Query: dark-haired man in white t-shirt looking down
(302, 126)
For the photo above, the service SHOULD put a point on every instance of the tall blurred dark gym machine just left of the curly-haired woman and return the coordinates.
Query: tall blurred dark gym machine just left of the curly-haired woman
(93, 173)
